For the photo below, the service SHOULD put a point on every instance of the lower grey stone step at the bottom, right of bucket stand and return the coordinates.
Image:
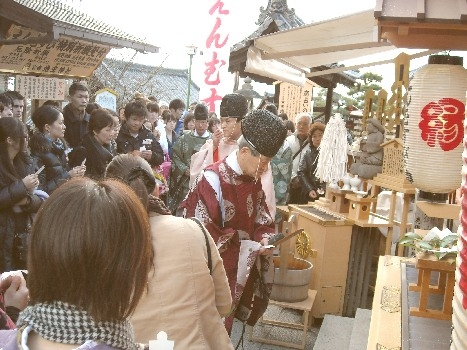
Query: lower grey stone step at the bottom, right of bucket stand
(335, 333)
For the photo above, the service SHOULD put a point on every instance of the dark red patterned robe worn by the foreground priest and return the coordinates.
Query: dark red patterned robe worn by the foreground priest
(247, 217)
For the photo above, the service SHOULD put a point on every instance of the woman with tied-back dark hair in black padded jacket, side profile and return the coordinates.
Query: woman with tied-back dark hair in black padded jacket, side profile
(49, 149)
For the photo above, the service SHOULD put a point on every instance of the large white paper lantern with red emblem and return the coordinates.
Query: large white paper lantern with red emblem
(433, 127)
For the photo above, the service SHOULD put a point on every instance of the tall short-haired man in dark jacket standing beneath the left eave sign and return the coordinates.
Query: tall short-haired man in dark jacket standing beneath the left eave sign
(74, 114)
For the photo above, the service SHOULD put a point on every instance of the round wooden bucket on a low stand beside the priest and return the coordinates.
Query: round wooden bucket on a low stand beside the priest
(291, 284)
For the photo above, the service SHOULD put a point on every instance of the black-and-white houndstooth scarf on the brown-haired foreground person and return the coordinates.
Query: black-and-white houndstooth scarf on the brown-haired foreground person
(64, 323)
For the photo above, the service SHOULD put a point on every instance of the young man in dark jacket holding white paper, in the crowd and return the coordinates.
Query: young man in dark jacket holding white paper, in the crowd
(134, 138)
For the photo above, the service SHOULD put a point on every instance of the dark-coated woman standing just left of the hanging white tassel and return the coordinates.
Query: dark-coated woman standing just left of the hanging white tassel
(312, 187)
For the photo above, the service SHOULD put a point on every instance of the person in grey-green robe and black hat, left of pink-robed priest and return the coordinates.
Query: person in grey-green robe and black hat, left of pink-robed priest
(185, 146)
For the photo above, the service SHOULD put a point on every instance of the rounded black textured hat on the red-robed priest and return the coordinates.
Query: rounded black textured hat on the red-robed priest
(264, 131)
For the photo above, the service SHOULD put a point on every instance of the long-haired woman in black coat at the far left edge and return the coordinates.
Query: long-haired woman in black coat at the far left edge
(18, 198)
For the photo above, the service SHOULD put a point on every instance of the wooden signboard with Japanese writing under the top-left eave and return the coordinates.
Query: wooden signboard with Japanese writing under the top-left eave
(65, 56)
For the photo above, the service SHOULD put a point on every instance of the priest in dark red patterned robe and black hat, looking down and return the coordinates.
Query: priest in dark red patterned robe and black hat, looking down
(229, 199)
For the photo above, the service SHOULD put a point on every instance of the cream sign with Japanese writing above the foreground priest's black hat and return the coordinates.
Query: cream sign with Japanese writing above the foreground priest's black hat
(295, 99)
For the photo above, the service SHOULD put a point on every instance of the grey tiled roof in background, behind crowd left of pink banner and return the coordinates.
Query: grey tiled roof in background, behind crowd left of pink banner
(126, 78)
